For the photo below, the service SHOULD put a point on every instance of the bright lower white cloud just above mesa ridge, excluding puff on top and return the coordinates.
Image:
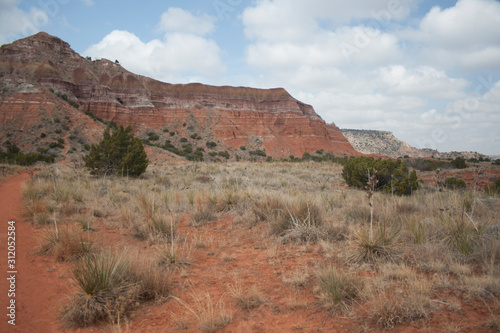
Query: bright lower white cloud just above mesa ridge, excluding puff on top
(176, 57)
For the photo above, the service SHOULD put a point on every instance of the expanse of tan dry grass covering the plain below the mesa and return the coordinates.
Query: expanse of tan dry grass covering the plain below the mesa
(448, 235)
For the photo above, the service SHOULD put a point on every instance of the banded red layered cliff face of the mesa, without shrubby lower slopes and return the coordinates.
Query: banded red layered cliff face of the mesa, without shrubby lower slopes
(269, 119)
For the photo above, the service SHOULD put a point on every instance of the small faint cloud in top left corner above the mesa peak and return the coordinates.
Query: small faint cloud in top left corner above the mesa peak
(16, 23)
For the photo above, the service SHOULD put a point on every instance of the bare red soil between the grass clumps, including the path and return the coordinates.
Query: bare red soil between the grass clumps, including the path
(231, 254)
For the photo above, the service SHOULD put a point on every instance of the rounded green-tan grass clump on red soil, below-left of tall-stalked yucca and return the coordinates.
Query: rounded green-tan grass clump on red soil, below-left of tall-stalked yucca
(337, 287)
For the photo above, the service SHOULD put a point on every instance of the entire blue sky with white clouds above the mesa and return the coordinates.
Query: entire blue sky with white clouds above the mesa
(429, 71)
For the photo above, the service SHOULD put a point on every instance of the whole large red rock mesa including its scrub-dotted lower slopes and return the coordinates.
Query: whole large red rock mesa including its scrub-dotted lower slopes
(46, 86)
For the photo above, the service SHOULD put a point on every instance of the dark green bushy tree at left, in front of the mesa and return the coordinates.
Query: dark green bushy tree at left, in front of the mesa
(118, 152)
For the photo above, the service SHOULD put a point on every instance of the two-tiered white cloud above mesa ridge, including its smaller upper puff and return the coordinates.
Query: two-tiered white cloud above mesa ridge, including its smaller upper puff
(183, 55)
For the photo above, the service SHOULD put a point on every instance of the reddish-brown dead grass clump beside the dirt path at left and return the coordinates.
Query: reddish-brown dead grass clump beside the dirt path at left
(65, 243)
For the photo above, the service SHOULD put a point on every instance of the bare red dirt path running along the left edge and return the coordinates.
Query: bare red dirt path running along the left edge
(39, 283)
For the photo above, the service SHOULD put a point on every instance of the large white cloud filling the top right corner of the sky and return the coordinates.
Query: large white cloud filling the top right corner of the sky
(465, 36)
